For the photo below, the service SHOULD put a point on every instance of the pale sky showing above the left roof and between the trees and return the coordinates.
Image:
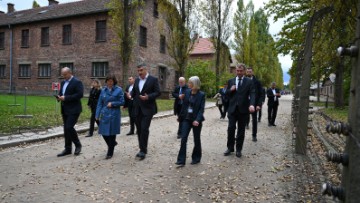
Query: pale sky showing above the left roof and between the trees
(285, 61)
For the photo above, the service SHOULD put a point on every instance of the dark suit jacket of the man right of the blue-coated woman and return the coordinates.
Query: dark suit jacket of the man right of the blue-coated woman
(152, 89)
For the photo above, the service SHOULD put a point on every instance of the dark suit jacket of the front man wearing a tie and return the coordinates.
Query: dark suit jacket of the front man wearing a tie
(241, 98)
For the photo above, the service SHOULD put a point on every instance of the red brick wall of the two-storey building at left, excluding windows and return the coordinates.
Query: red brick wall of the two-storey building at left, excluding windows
(82, 52)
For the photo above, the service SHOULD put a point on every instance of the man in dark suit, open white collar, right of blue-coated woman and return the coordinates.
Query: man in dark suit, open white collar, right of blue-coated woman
(146, 90)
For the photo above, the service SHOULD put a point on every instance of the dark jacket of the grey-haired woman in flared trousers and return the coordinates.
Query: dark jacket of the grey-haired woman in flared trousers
(198, 106)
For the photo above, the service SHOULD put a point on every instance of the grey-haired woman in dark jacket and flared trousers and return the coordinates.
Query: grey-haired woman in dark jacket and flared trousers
(191, 116)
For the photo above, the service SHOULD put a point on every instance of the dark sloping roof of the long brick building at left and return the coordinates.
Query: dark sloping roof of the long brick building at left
(54, 11)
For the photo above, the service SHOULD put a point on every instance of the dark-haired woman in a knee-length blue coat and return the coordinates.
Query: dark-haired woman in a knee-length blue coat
(109, 114)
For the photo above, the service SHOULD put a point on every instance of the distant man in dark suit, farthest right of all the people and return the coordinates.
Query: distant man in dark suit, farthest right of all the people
(273, 95)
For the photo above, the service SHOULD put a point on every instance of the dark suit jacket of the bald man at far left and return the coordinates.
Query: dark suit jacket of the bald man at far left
(73, 94)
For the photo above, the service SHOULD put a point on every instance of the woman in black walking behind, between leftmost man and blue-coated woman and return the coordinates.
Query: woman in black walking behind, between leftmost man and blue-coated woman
(92, 103)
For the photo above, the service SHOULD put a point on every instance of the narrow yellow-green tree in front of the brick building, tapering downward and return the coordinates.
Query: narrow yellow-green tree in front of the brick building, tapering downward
(126, 16)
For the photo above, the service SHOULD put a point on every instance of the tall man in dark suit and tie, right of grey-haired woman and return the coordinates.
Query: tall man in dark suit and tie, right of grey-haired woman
(241, 94)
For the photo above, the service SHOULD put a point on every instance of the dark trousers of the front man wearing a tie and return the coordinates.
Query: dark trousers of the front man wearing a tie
(240, 119)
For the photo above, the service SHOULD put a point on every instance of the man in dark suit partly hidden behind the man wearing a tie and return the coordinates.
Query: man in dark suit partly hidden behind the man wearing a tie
(259, 96)
